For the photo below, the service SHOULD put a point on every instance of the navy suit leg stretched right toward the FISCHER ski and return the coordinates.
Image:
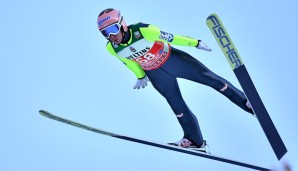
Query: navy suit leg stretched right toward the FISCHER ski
(183, 65)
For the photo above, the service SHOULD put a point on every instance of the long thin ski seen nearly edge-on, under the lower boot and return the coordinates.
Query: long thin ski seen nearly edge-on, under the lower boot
(150, 143)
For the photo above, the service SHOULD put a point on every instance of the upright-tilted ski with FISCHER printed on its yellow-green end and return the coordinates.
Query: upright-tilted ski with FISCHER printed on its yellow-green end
(227, 46)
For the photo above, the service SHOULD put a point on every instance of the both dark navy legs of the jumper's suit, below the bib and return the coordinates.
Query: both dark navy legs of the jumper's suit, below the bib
(183, 65)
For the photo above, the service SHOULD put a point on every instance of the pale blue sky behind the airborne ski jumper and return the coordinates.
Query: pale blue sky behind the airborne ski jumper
(54, 58)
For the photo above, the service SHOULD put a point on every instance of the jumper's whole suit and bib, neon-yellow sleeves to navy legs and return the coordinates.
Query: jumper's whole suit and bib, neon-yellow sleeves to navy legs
(147, 51)
